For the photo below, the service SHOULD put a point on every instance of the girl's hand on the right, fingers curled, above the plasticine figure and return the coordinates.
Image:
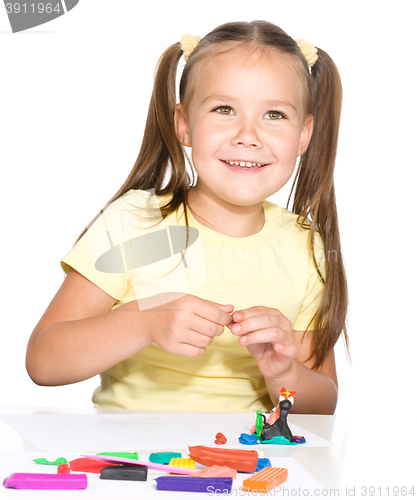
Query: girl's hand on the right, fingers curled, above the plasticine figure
(268, 335)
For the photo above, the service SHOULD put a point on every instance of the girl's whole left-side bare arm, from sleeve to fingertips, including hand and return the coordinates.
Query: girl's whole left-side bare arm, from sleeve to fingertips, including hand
(79, 337)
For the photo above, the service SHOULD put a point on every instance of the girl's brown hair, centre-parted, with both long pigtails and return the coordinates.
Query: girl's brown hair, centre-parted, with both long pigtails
(313, 188)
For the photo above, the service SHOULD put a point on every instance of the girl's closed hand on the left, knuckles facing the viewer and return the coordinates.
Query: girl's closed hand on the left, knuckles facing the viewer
(186, 326)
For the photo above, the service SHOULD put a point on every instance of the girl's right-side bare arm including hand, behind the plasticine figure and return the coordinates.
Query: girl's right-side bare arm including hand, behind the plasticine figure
(281, 355)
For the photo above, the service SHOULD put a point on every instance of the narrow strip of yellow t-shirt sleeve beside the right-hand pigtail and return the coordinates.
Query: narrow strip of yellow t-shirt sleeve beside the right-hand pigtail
(315, 288)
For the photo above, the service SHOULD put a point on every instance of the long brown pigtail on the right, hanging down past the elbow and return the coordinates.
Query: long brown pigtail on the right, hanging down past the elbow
(314, 197)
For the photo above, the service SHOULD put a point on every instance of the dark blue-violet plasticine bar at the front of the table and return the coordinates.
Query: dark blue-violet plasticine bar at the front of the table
(218, 485)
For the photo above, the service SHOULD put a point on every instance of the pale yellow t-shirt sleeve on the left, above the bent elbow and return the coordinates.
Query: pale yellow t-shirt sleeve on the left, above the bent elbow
(100, 254)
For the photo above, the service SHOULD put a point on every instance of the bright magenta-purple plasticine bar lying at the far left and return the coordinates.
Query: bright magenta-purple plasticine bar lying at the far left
(26, 481)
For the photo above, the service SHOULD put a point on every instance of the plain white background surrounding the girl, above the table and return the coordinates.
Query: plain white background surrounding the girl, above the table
(74, 95)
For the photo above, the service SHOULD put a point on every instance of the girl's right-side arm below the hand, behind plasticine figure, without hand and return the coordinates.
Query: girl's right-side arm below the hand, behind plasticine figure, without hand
(316, 390)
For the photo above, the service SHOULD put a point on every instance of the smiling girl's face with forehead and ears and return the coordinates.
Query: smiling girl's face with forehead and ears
(245, 111)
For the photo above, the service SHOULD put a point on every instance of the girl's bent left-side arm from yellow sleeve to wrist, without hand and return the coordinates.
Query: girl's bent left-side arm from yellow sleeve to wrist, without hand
(78, 336)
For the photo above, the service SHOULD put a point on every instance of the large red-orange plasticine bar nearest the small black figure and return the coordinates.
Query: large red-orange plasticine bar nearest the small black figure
(240, 460)
